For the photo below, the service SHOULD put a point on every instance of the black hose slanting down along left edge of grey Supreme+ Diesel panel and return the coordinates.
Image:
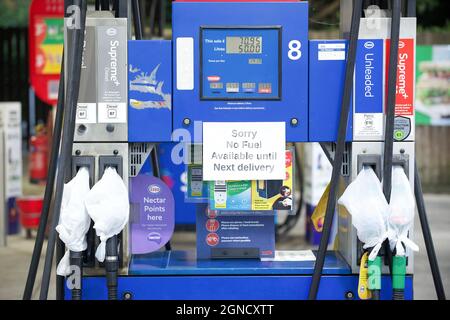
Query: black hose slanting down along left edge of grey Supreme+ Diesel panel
(73, 85)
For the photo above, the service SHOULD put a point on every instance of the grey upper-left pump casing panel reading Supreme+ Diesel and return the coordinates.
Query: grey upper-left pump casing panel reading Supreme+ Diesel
(103, 95)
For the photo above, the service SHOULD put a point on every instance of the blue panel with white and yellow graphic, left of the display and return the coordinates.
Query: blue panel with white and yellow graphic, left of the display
(149, 90)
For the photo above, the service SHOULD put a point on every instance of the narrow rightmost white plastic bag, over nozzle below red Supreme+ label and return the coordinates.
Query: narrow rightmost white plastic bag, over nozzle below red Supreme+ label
(401, 212)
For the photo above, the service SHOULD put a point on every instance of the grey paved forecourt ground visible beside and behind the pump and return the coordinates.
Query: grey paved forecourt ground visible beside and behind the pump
(15, 258)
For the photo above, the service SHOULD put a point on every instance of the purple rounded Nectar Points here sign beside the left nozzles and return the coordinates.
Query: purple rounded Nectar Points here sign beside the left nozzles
(152, 214)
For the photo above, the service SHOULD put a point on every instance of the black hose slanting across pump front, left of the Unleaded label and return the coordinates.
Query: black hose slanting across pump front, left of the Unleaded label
(340, 146)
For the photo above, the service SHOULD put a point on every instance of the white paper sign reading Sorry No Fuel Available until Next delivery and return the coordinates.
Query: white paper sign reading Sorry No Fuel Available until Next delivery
(244, 151)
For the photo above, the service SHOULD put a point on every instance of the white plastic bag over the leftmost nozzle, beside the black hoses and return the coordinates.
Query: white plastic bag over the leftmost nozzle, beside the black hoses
(74, 221)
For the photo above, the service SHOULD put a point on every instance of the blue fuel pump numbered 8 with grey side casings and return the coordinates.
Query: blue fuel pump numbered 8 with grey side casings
(246, 62)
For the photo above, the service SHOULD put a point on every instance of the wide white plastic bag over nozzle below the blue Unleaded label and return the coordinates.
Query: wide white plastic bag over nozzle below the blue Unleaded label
(365, 201)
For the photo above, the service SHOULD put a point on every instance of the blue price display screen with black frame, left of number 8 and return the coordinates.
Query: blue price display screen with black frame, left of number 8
(240, 63)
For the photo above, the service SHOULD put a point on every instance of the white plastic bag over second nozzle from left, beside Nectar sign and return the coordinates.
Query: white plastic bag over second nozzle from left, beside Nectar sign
(107, 204)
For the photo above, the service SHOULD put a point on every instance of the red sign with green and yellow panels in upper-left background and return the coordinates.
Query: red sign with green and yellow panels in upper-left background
(44, 73)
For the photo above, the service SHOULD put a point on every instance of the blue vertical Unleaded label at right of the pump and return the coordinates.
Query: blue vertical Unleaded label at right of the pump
(369, 77)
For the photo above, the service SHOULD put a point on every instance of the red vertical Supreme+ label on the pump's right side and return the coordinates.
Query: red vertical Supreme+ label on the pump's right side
(404, 98)
